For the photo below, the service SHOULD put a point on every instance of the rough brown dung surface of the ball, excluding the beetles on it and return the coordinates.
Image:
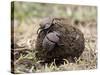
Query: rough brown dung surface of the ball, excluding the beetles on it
(72, 39)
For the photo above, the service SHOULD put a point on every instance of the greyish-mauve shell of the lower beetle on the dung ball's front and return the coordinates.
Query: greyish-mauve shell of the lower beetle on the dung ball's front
(50, 40)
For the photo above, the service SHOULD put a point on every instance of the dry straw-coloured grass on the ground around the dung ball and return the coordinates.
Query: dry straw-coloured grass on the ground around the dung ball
(25, 36)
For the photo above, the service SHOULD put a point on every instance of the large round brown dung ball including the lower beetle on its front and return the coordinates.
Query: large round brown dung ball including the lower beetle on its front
(69, 44)
